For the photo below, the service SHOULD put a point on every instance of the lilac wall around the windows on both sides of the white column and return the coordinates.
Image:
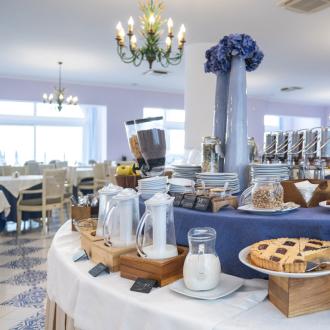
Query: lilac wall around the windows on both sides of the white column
(126, 104)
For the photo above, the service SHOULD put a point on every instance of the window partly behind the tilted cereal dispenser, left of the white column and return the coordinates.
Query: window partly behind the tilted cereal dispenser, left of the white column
(174, 120)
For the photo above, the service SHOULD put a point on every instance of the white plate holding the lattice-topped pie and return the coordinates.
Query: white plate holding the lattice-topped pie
(243, 257)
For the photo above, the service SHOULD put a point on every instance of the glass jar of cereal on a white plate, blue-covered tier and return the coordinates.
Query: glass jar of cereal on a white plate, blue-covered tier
(267, 193)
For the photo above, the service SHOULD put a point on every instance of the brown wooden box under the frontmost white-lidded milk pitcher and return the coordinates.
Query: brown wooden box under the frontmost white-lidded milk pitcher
(164, 271)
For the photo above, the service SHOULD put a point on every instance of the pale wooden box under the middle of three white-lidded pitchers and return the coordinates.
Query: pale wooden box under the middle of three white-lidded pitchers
(107, 255)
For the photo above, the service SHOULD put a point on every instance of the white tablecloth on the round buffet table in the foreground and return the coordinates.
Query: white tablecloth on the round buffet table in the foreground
(107, 303)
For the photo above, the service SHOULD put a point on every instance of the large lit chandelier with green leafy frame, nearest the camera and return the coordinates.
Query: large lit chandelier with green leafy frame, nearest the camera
(151, 33)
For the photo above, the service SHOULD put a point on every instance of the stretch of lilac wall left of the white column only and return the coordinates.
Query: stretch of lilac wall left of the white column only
(122, 104)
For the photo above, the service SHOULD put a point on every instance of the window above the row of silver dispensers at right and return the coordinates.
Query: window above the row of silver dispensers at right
(288, 123)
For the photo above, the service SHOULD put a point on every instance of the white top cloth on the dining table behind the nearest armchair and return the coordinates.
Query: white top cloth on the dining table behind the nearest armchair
(15, 185)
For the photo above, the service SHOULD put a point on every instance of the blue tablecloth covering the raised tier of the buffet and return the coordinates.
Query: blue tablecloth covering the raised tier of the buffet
(236, 230)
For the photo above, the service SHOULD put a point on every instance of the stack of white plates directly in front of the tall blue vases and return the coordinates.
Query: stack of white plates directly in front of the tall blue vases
(219, 180)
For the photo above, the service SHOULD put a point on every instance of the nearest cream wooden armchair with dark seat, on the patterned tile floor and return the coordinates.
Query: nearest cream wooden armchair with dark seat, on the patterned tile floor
(52, 196)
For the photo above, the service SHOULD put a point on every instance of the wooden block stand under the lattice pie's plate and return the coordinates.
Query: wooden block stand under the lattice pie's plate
(293, 296)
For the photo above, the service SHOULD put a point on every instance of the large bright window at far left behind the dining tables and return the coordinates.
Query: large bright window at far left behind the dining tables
(37, 131)
